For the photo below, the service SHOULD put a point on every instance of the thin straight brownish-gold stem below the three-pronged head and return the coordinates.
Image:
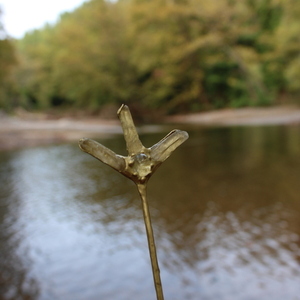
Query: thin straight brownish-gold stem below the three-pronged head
(151, 243)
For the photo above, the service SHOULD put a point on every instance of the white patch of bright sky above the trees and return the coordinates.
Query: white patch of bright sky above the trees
(20, 16)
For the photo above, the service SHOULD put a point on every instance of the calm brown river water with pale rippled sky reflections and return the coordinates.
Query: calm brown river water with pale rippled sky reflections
(225, 208)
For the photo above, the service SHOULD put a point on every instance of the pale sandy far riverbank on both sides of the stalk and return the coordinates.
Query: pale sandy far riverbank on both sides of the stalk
(32, 130)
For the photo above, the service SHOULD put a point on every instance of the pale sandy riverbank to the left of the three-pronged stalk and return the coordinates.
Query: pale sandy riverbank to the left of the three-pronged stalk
(17, 132)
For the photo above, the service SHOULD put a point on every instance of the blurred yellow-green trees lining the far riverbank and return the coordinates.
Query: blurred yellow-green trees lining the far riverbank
(171, 55)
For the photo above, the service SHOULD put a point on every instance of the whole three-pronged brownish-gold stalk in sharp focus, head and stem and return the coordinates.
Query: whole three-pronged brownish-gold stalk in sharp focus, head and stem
(138, 166)
